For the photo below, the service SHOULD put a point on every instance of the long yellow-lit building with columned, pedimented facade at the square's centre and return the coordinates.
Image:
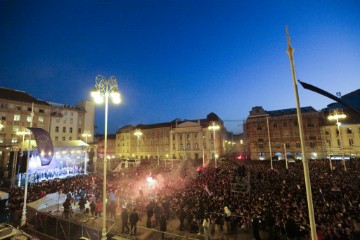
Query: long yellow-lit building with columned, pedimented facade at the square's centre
(186, 139)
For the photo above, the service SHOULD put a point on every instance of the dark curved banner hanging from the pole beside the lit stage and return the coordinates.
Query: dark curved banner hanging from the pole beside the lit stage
(44, 145)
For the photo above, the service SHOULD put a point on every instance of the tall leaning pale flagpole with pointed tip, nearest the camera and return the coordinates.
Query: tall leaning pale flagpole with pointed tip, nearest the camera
(290, 52)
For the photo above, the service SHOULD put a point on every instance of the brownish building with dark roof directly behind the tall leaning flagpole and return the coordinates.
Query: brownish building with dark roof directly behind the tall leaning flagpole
(272, 133)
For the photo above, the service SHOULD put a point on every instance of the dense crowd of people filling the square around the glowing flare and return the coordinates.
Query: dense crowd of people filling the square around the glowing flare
(204, 202)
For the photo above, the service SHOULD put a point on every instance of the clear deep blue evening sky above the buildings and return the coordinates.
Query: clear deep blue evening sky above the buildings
(181, 58)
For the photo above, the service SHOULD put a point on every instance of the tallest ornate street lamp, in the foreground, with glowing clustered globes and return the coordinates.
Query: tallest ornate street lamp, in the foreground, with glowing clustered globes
(103, 90)
